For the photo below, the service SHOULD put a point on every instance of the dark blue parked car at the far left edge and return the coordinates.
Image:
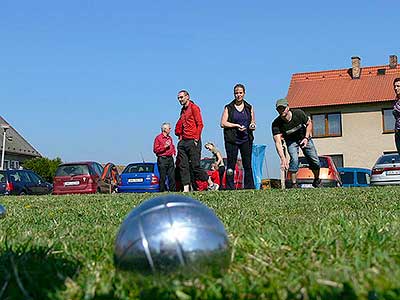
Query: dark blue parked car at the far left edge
(23, 182)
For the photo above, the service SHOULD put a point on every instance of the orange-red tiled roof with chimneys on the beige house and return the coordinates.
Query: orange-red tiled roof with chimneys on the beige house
(338, 87)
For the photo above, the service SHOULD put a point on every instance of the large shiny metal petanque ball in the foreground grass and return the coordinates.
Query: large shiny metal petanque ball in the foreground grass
(172, 234)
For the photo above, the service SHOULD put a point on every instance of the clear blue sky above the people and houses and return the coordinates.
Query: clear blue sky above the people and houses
(94, 80)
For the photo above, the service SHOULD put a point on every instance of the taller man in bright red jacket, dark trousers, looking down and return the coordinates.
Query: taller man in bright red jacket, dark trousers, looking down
(188, 129)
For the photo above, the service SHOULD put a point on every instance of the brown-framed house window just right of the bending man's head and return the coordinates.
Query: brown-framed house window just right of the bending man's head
(327, 124)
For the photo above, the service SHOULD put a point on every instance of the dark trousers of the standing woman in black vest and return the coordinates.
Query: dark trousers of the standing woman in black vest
(232, 151)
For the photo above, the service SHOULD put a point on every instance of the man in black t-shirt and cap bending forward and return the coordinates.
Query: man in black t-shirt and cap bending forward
(295, 127)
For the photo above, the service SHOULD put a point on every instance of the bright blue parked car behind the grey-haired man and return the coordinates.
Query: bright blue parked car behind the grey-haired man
(140, 178)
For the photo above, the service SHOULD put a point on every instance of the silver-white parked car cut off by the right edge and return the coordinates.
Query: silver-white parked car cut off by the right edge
(386, 170)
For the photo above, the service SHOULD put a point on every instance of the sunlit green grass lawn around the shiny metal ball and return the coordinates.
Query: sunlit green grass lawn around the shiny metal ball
(294, 244)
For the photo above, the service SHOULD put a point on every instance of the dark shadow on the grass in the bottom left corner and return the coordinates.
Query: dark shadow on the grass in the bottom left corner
(32, 272)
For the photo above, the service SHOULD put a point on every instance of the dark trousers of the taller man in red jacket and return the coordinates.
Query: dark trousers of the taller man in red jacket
(189, 160)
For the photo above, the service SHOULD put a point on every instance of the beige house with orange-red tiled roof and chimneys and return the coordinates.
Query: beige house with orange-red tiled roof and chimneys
(351, 110)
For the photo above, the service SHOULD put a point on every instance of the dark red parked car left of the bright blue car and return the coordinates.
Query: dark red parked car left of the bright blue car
(86, 177)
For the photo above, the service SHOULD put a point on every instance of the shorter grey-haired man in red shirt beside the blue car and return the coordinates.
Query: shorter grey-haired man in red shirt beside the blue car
(165, 150)
